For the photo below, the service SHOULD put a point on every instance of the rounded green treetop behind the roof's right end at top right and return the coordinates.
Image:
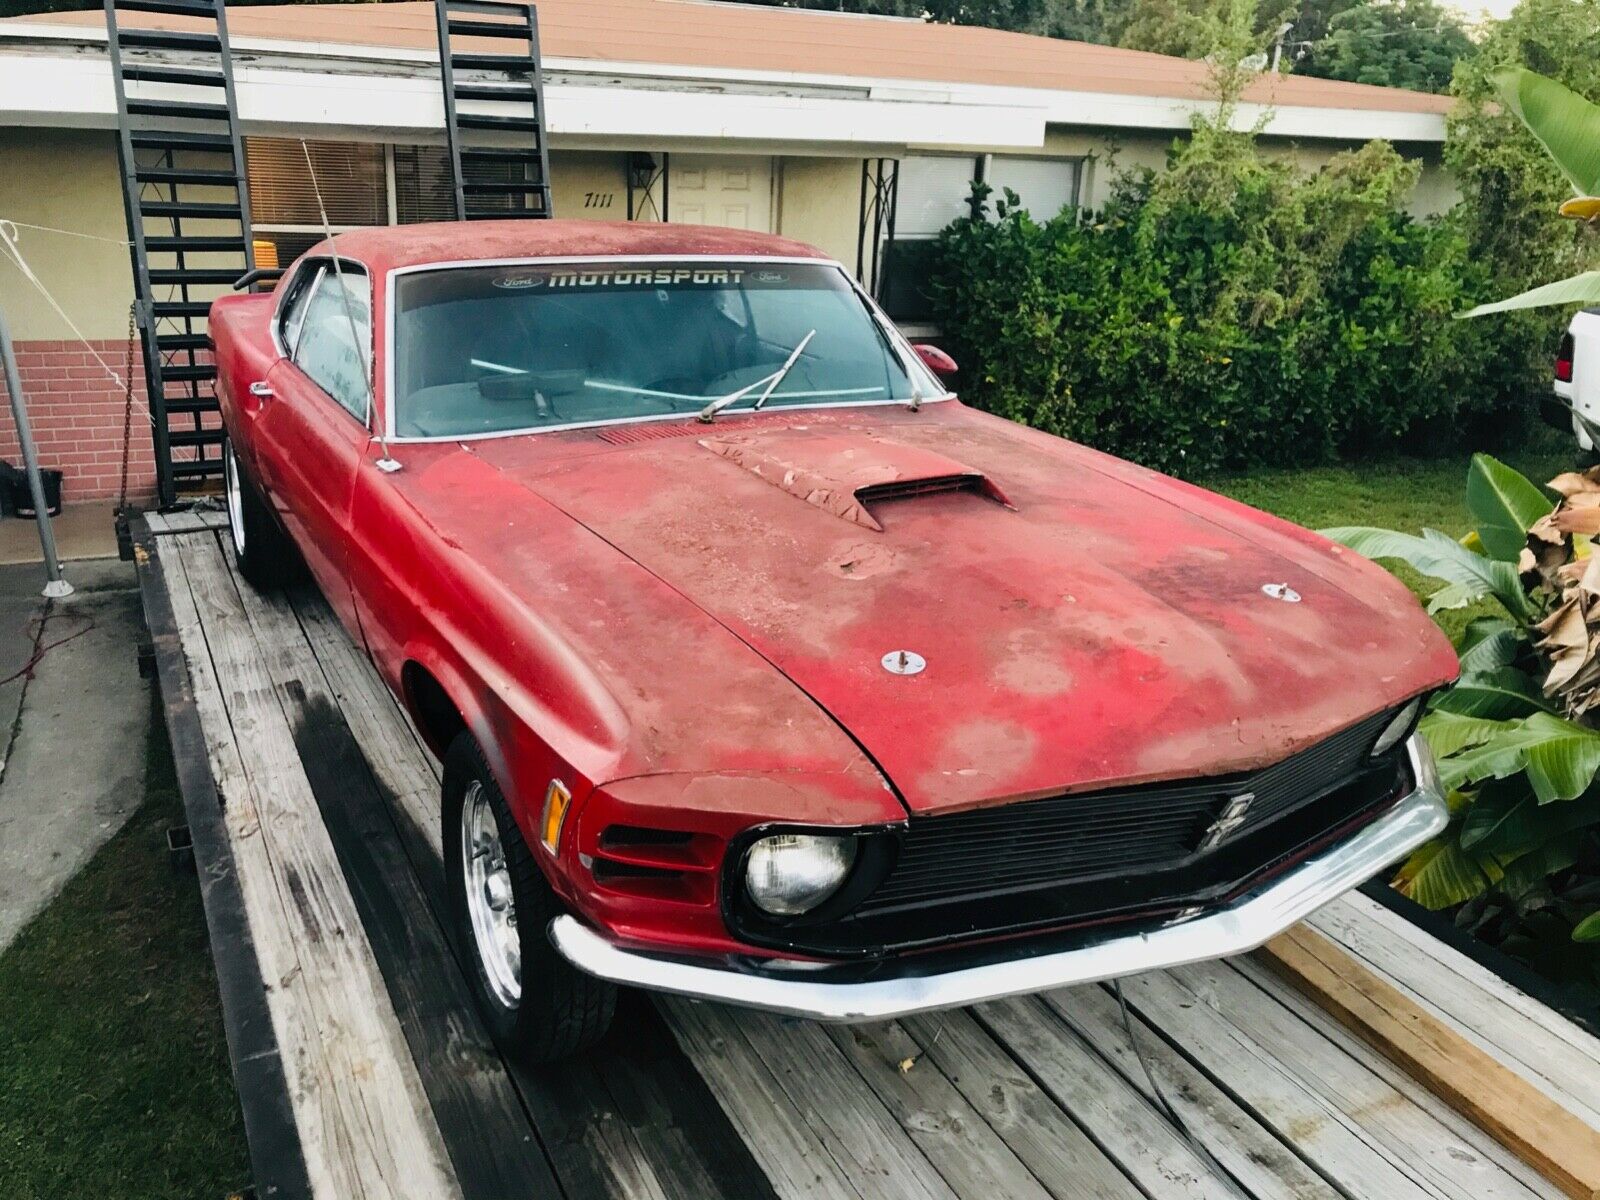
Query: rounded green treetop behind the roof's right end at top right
(1394, 44)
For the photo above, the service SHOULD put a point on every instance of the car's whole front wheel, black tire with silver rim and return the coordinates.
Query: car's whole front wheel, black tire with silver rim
(538, 1006)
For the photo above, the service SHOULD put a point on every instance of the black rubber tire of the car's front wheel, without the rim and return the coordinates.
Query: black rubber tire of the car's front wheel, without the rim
(561, 1010)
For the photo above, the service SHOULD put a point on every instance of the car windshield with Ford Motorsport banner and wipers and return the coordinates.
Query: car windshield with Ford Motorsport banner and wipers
(497, 350)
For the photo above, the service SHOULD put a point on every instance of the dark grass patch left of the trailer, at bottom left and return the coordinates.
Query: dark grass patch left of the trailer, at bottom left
(114, 1066)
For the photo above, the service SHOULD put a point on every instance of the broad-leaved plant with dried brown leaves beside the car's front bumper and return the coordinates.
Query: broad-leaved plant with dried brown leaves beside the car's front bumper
(1518, 740)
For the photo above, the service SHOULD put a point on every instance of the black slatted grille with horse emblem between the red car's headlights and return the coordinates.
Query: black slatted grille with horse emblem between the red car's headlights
(1103, 855)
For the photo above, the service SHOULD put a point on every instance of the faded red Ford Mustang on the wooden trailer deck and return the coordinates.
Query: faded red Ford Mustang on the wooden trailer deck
(766, 671)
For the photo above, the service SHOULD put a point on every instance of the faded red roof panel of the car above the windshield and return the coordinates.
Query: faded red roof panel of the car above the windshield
(391, 247)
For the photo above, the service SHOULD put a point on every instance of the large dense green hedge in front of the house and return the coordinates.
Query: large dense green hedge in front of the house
(1226, 313)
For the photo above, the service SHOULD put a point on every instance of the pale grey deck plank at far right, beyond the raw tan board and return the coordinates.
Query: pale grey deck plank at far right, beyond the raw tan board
(1553, 1054)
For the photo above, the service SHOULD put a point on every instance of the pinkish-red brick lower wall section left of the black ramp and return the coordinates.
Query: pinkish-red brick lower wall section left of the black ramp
(78, 410)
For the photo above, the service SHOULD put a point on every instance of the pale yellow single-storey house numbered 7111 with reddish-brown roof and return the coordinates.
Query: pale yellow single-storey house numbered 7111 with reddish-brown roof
(860, 135)
